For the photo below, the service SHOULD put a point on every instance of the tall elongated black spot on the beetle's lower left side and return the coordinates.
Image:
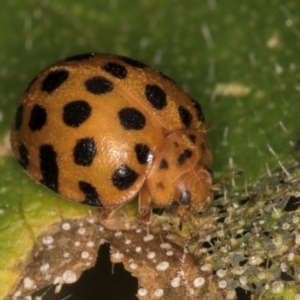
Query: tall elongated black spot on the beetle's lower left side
(49, 167)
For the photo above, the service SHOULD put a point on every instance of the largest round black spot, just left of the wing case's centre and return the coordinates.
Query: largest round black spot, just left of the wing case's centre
(76, 112)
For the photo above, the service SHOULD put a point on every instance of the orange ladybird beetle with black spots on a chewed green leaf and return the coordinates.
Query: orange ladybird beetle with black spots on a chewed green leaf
(100, 129)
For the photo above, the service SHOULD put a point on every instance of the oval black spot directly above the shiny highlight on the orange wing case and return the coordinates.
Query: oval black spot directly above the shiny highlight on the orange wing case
(131, 118)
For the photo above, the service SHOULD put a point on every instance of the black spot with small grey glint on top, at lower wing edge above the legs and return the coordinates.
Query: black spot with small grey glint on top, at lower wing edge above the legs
(124, 177)
